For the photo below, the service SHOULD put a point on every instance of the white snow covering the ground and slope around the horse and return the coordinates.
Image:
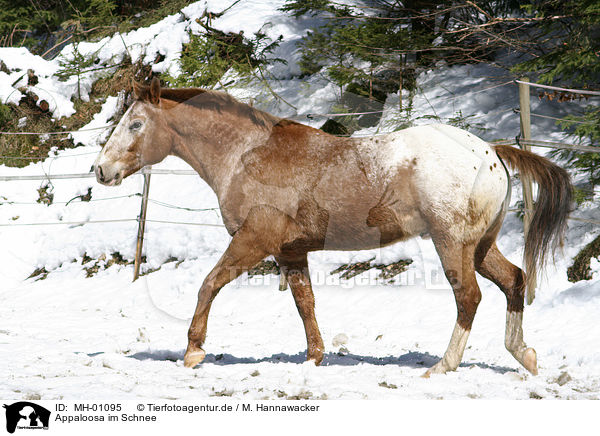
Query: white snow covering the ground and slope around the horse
(73, 337)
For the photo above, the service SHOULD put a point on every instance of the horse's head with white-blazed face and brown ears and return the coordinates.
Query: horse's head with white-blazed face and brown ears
(141, 138)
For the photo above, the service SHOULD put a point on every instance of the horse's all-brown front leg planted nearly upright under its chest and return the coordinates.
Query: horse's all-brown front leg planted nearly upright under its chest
(296, 272)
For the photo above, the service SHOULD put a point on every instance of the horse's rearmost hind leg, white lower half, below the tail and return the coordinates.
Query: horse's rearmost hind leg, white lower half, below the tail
(492, 265)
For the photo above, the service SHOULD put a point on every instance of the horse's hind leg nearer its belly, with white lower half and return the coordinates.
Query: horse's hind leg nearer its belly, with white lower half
(457, 261)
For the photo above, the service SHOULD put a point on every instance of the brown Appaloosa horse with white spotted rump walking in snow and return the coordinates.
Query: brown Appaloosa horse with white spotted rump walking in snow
(286, 189)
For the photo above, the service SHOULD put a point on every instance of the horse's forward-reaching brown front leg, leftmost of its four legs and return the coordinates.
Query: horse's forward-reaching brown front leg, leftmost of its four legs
(241, 255)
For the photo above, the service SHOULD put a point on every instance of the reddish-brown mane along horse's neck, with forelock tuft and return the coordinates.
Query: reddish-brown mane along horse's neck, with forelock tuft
(216, 100)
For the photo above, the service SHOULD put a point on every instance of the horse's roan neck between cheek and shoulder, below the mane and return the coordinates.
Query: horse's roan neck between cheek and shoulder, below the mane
(213, 145)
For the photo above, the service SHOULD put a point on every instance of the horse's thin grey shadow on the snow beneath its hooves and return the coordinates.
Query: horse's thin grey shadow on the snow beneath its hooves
(412, 359)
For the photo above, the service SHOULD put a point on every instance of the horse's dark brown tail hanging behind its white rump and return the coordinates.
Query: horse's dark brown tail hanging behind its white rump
(547, 228)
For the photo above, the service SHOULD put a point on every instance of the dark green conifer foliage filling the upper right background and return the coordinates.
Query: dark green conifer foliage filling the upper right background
(375, 47)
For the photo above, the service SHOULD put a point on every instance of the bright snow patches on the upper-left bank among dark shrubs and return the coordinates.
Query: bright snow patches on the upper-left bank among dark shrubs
(164, 38)
